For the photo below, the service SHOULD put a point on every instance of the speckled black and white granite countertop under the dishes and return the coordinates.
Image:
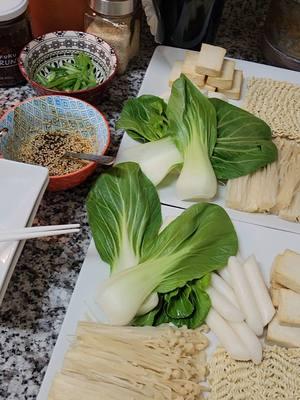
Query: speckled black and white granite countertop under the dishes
(40, 289)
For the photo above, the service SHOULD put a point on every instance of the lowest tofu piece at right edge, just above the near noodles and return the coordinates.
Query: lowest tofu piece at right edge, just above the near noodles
(283, 335)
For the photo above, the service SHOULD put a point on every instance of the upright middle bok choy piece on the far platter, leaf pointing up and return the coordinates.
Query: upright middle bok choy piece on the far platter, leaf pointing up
(193, 127)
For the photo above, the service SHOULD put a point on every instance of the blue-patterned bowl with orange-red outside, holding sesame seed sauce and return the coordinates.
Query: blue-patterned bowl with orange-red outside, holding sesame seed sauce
(52, 113)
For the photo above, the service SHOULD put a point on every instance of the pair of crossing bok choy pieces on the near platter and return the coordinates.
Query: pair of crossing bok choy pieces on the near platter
(124, 209)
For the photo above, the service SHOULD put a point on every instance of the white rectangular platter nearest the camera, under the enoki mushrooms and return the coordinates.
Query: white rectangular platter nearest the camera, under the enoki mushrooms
(253, 239)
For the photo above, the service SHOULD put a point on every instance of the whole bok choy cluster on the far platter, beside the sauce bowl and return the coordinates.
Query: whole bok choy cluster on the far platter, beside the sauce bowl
(211, 139)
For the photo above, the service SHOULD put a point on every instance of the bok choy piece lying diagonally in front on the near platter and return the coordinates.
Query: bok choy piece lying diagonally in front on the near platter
(197, 242)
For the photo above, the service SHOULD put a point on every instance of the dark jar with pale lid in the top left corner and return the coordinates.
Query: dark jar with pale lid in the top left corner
(14, 34)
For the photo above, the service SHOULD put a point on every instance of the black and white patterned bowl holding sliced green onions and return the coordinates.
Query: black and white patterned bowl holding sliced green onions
(55, 48)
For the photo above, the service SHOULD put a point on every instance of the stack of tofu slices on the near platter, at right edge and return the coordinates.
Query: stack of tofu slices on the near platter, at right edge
(284, 329)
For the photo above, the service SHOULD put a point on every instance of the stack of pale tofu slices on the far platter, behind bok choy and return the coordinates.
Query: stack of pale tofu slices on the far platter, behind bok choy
(210, 71)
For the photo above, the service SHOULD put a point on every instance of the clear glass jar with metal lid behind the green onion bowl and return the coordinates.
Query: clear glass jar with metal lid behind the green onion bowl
(118, 23)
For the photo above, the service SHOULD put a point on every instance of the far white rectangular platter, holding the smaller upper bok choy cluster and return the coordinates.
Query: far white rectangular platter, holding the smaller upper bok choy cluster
(156, 83)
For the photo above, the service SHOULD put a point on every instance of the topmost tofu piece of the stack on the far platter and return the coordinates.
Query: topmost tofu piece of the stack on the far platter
(210, 60)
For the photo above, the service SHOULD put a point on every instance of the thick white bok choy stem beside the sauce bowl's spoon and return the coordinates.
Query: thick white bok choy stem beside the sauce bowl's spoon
(156, 158)
